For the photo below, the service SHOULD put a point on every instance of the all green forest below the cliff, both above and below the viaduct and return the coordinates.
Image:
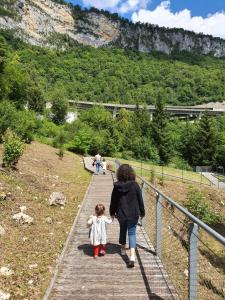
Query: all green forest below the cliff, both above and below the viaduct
(31, 76)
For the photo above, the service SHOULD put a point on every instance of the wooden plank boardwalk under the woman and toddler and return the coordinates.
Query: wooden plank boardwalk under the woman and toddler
(79, 276)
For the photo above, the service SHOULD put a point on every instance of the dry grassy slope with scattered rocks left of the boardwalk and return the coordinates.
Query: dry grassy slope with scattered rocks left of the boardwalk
(40, 243)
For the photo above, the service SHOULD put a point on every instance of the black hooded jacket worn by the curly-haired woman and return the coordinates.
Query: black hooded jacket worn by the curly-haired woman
(126, 201)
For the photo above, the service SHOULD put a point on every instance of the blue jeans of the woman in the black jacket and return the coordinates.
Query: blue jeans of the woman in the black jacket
(130, 226)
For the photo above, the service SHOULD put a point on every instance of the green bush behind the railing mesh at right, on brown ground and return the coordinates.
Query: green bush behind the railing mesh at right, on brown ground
(198, 206)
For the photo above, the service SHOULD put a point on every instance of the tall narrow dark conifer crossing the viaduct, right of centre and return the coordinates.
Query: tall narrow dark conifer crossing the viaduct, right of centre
(160, 134)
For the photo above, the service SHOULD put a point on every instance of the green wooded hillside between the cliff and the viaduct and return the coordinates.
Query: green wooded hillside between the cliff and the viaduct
(112, 75)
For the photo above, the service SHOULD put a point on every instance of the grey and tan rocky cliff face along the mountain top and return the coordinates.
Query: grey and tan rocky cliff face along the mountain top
(44, 23)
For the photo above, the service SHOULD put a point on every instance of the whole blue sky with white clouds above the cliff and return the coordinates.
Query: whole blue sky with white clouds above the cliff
(207, 16)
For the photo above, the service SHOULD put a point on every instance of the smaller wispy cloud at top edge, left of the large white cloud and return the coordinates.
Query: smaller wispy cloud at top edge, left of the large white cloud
(122, 6)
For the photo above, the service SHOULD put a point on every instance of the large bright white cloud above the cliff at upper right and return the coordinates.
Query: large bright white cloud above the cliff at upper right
(213, 24)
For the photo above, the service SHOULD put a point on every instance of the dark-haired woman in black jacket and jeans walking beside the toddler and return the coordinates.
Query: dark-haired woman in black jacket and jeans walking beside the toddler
(127, 206)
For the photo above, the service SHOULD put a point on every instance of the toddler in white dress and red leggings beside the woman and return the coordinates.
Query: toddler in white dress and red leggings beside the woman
(98, 223)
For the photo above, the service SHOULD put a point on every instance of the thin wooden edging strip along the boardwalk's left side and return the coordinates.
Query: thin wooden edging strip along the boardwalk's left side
(61, 257)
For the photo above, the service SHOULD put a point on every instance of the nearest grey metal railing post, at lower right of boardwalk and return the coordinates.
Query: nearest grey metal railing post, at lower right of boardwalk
(193, 262)
